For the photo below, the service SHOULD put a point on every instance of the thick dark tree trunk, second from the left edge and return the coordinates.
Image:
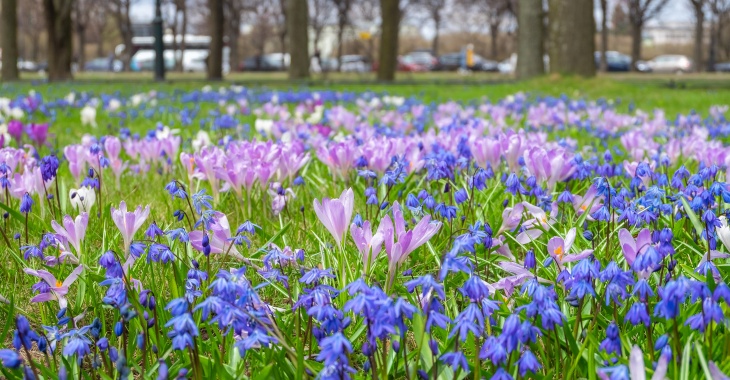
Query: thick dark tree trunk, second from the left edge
(59, 30)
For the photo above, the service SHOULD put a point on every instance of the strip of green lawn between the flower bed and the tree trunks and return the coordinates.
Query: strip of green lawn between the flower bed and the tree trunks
(673, 93)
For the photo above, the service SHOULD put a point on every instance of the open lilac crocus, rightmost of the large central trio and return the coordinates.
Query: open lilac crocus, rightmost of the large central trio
(407, 241)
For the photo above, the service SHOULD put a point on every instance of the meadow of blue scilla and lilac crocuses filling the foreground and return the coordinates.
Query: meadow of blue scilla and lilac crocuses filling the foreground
(246, 233)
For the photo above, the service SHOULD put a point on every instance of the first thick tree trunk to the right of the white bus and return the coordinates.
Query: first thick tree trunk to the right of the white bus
(298, 27)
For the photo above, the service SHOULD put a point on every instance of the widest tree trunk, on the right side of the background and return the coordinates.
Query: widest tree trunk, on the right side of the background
(572, 42)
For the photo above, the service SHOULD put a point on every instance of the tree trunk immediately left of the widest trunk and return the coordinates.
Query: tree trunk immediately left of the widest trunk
(529, 39)
